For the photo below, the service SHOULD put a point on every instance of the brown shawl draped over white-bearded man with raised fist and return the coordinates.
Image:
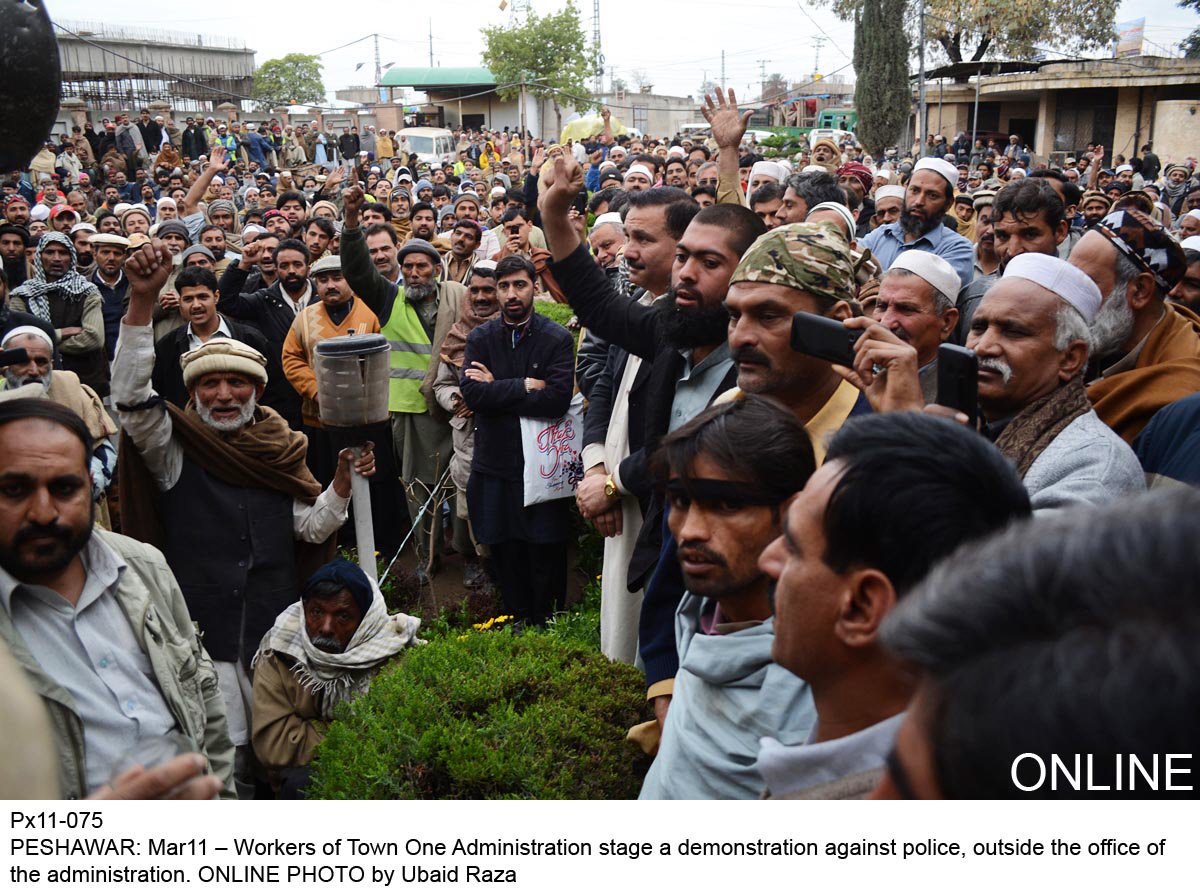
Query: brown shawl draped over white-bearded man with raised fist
(266, 454)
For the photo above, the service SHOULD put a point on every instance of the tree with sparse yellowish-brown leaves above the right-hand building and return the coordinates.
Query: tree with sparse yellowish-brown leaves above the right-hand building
(1017, 29)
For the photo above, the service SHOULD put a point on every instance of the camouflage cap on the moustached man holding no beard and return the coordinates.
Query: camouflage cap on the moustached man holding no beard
(812, 257)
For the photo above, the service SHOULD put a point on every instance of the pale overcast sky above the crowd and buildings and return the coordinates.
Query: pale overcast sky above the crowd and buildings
(671, 43)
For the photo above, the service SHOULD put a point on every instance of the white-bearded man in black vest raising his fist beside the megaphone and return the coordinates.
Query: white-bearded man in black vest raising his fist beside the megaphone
(221, 488)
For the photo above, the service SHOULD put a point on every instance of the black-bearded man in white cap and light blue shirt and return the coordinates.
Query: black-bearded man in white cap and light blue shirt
(928, 199)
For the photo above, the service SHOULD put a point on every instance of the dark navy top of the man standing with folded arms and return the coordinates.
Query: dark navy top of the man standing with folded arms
(545, 352)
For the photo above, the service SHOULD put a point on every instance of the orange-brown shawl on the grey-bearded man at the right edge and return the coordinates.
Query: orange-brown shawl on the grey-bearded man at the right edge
(1168, 369)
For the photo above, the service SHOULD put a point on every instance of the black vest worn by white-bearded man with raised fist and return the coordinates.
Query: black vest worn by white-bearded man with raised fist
(233, 553)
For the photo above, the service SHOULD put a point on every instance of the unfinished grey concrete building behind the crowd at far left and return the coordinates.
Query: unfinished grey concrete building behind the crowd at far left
(203, 71)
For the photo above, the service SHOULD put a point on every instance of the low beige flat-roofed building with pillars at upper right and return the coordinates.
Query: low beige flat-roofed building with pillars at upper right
(1059, 107)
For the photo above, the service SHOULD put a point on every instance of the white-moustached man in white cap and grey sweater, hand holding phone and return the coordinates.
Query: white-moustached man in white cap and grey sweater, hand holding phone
(1031, 337)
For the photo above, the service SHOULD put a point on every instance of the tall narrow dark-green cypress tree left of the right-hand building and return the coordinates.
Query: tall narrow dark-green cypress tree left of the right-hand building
(881, 63)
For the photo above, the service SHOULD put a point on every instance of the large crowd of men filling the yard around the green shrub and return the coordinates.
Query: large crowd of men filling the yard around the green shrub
(835, 584)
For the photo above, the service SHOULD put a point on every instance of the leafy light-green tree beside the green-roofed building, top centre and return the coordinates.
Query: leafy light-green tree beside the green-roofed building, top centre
(549, 53)
